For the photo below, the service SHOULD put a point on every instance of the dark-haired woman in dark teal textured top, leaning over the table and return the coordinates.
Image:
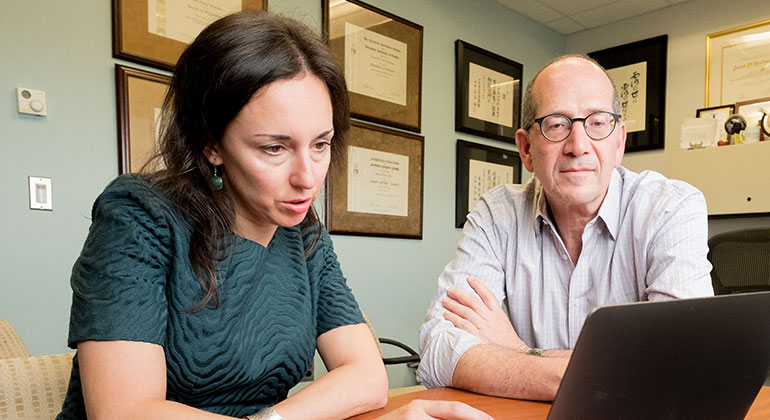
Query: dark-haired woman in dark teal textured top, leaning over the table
(205, 287)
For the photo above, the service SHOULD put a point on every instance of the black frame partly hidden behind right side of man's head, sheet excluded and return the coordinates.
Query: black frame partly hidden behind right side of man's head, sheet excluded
(654, 52)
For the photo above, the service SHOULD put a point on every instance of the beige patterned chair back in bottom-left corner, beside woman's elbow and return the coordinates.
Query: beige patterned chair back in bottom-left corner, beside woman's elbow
(33, 388)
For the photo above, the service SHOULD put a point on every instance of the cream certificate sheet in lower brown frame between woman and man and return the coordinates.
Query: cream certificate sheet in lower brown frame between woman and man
(378, 182)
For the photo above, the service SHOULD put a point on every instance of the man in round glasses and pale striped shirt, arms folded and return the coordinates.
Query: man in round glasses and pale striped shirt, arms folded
(583, 232)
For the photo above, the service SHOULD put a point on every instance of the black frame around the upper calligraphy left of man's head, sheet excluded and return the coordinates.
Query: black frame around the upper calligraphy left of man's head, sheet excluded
(466, 54)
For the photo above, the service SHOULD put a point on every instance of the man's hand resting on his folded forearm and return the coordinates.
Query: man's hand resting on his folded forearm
(483, 317)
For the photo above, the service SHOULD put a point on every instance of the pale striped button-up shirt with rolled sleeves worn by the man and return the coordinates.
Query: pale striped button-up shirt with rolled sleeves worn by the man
(648, 242)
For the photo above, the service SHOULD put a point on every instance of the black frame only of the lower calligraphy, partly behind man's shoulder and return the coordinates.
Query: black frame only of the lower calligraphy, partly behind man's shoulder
(467, 151)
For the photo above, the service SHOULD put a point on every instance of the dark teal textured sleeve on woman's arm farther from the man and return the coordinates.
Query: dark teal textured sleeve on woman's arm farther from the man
(118, 282)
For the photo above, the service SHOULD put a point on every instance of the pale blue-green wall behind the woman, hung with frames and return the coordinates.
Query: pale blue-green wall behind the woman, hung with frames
(64, 48)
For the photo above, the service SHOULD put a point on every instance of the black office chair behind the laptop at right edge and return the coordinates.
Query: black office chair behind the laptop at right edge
(741, 261)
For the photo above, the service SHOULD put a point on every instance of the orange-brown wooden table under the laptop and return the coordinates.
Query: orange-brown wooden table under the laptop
(504, 408)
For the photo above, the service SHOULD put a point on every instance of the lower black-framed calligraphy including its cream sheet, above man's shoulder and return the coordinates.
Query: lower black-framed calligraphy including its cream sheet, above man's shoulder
(479, 169)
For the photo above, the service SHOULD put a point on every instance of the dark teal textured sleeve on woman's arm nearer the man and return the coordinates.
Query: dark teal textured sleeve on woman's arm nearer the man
(336, 304)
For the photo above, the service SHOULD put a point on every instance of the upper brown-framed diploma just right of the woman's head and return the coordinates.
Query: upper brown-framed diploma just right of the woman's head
(382, 57)
